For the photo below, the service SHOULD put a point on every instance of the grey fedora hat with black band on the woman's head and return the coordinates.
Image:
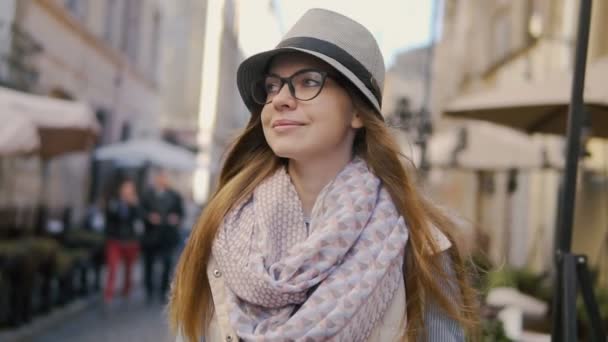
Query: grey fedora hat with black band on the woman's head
(337, 40)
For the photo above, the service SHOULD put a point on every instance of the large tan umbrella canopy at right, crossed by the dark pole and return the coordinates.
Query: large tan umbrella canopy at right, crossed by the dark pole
(539, 107)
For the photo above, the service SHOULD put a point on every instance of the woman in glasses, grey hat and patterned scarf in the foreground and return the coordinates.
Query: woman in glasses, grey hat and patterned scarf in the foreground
(317, 231)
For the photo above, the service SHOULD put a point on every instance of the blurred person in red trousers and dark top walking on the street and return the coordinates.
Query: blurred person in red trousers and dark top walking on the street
(123, 221)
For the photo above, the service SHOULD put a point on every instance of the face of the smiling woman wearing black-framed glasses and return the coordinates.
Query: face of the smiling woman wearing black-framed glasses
(318, 128)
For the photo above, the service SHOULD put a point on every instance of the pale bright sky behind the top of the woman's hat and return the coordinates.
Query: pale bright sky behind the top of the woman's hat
(398, 25)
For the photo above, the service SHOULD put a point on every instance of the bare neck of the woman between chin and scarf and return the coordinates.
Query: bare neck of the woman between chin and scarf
(310, 177)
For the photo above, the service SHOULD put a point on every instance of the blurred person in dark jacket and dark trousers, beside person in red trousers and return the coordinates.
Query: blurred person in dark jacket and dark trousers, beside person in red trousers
(164, 213)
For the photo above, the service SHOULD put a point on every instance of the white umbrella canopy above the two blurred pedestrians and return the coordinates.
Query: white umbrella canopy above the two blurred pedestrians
(137, 152)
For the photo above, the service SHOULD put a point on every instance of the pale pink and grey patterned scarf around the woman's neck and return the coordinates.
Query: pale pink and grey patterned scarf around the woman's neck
(334, 280)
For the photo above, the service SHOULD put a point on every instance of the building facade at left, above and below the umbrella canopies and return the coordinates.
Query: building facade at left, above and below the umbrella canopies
(106, 53)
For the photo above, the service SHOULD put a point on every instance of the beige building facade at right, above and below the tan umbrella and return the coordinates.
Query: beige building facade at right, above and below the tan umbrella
(487, 44)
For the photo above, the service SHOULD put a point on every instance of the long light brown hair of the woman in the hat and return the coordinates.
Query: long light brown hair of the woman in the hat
(250, 160)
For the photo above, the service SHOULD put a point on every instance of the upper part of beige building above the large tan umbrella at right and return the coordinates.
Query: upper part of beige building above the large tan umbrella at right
(486, 44)
